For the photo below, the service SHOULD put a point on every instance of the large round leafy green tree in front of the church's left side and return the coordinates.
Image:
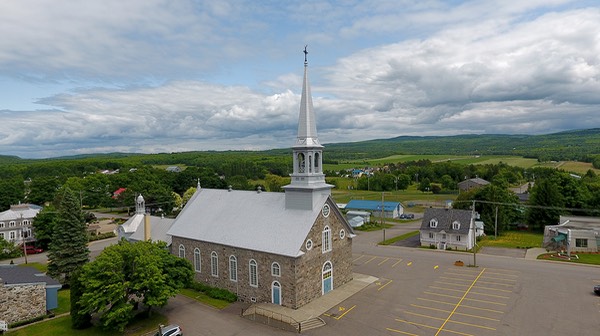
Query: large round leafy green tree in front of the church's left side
(126, 274)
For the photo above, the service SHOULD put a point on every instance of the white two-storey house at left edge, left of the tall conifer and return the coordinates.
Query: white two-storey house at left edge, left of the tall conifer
(16, 223)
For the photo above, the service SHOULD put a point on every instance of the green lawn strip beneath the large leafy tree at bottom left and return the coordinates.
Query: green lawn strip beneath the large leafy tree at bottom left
(61, 326)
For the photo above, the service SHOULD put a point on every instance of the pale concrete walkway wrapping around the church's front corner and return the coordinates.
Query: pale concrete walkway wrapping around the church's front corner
(324, 303)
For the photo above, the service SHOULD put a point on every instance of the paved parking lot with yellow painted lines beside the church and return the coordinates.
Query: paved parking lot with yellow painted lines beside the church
(421, 292)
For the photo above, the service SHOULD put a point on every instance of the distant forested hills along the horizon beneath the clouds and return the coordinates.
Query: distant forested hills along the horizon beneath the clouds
(575, 145)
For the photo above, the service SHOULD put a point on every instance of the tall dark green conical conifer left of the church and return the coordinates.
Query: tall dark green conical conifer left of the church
(68, 248)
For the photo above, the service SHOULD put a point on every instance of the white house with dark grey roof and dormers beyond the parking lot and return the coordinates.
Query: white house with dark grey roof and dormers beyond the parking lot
(449, 229)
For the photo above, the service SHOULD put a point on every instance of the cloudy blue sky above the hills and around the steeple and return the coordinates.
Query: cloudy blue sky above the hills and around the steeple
(155, 76)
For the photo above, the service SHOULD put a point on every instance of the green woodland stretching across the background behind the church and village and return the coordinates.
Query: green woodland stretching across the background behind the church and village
(95, 178)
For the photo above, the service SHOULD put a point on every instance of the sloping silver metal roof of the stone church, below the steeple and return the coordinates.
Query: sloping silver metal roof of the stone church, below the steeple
(251, 220)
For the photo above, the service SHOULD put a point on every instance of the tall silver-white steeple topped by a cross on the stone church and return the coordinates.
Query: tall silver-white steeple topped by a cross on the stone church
(308, 180)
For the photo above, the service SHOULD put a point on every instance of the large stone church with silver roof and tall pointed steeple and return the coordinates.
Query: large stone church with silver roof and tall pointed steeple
(284, 248)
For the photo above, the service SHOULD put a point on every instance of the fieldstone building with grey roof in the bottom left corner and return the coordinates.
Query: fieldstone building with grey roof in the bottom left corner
(25, 293)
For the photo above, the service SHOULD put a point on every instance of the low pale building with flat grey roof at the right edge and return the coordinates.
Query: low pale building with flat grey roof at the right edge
(573, 234)
